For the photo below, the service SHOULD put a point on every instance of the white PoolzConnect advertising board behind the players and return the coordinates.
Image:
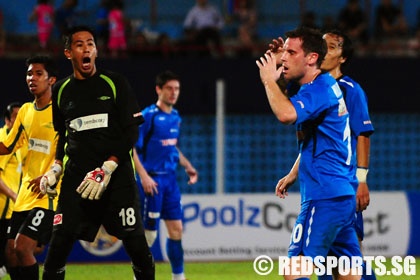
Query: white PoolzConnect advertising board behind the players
(243, 227)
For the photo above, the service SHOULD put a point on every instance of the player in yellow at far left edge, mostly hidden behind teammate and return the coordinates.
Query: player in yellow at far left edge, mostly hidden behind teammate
(10, 178)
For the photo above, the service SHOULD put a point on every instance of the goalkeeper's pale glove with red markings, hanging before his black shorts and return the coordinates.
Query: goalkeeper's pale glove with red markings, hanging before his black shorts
(96, 181)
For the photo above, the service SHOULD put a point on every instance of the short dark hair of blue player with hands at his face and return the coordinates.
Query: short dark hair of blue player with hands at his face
(312, 41)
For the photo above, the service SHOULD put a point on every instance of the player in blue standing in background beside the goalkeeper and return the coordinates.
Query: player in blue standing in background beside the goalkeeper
(159, 157)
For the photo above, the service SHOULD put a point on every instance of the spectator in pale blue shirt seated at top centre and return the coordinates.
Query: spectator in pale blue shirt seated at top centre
(205, 21)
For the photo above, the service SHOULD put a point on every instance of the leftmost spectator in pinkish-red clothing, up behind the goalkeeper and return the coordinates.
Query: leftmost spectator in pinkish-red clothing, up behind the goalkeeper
(43, 13)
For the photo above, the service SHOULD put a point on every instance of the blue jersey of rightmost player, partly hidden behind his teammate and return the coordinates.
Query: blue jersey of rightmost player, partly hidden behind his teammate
(357, 107)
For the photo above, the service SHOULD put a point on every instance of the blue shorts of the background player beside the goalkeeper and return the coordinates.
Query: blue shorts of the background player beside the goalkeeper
(165, 205)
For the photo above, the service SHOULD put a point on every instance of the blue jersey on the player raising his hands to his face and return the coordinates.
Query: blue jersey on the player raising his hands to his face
(324, 140)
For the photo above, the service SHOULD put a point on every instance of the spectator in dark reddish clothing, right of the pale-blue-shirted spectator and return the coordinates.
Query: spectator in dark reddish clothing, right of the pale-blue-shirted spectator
(246, 16)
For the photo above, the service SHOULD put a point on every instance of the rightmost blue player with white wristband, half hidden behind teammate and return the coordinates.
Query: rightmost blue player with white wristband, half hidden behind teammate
(340, 51)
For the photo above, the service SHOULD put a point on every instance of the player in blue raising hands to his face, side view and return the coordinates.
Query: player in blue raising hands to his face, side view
(320, 115)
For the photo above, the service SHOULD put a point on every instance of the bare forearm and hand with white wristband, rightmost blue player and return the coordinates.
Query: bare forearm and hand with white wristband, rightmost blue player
(362, 152)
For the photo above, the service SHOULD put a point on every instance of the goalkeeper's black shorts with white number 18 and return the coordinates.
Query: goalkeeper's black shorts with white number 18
(118, 210)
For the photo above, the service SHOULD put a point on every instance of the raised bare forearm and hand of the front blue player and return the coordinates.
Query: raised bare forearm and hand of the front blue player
(280, 104)
